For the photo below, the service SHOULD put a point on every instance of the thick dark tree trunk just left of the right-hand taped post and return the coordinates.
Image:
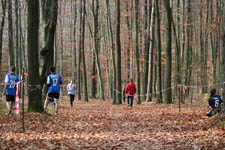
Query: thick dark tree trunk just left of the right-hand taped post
(168, 73)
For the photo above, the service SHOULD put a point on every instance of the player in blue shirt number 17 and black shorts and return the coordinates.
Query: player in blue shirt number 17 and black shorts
(53, 81)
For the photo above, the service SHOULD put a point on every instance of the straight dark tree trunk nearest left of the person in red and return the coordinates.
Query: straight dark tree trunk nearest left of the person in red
(118, 48)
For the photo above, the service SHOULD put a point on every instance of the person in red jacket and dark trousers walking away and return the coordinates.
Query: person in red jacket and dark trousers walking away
(130, 91)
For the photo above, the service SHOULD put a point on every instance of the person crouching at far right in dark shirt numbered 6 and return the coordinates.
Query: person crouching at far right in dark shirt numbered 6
(214, 102)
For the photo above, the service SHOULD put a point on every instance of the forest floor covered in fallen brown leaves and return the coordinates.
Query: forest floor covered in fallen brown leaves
(100, 125)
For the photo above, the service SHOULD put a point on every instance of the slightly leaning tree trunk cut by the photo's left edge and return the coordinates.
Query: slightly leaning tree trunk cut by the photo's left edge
(2, 23)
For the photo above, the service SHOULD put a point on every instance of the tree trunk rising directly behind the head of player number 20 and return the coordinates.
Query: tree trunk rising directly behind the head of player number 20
(10, 35)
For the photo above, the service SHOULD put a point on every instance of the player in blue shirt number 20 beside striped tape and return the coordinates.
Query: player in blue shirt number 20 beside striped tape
(10, 89)
